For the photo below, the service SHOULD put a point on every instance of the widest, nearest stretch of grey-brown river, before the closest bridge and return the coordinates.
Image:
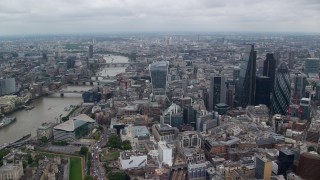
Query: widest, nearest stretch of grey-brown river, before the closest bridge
(46, 109)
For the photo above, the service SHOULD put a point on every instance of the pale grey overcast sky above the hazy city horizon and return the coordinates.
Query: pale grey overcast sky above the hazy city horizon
(109, 16)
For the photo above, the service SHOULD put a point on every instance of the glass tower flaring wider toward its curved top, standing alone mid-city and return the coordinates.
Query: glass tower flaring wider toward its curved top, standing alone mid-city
(158, 74)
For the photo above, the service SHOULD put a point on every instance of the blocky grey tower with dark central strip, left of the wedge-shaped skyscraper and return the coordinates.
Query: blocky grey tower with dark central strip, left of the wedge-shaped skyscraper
(217, 91)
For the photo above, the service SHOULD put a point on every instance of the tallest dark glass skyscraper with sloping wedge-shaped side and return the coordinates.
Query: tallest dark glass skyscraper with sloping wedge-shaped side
(246, 84)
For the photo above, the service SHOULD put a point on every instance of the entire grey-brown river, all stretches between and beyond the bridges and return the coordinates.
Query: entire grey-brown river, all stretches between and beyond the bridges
(48, 108)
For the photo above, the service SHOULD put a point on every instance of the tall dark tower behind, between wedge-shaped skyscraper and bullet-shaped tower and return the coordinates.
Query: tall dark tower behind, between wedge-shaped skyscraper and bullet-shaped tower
(269, 67)
